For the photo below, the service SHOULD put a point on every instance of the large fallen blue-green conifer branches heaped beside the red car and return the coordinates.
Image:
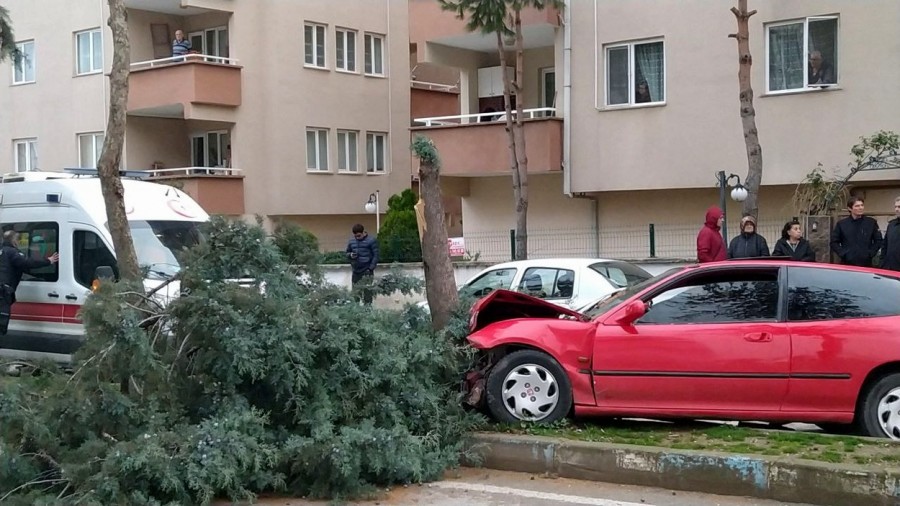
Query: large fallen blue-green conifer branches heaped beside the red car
(277, 382)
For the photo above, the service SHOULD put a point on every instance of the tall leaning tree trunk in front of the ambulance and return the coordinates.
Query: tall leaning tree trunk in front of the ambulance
(113, 144)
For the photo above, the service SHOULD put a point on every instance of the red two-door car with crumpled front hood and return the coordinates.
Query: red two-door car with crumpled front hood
(768, 340)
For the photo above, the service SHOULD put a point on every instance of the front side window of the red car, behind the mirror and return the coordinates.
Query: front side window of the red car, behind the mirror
(741, 295)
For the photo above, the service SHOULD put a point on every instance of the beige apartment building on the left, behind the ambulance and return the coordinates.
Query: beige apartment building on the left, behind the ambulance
(284, 109)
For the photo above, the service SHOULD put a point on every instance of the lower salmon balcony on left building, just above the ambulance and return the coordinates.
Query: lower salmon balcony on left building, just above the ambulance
(217, 190)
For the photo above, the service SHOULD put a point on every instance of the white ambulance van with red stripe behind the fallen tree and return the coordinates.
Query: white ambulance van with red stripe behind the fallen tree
(64, 212)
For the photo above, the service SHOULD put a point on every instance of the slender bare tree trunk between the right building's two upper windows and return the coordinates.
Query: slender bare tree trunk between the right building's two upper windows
(748, 113)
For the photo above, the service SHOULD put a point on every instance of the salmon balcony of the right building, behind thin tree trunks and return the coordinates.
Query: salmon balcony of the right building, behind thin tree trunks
(474, 145)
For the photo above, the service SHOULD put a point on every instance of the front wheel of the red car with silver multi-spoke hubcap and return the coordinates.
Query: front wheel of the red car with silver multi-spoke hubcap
(528, 385)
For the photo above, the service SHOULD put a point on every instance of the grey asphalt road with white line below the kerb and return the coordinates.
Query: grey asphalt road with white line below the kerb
(481, 487)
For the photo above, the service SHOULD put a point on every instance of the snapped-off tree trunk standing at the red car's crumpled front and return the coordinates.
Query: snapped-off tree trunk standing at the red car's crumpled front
(440, 283)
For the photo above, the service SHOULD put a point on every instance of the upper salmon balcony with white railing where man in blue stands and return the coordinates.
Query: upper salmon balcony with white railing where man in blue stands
(185, 88)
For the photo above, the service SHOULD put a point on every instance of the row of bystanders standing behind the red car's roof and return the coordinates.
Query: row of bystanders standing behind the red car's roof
(856, 239)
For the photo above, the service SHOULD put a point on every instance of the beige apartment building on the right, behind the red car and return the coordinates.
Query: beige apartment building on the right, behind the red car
(645, 112)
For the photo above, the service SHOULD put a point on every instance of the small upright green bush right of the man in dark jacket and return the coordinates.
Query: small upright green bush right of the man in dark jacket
(398, 239)
